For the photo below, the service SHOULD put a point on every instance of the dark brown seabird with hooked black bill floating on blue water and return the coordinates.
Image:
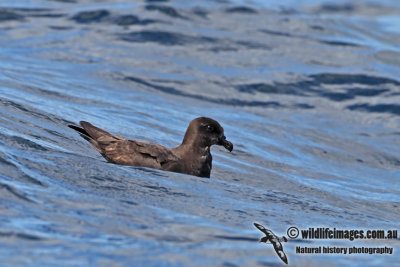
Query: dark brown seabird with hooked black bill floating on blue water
(192, 157)
